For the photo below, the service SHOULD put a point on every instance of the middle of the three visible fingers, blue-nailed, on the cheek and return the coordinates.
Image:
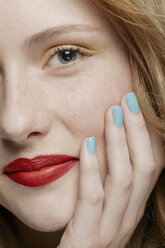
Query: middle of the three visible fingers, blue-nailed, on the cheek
(118, 185)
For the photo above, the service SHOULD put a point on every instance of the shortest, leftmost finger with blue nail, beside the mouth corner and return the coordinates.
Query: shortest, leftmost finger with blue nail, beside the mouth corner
(86, 220)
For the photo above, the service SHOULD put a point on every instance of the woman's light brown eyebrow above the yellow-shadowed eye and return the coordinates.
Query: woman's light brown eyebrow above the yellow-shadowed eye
(56, 31)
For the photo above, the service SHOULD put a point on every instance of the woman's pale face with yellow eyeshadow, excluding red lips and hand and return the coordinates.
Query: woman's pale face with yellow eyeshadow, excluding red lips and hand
(63, 102)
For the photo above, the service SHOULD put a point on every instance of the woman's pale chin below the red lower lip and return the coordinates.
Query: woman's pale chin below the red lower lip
(48, 209)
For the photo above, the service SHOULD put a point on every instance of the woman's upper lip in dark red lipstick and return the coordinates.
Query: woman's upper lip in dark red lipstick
(37, 163)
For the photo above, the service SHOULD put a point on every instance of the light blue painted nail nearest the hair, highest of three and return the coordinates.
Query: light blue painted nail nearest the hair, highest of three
(132, 103)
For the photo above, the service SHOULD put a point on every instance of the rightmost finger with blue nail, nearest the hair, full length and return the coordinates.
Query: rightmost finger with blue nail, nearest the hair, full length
(142, 158)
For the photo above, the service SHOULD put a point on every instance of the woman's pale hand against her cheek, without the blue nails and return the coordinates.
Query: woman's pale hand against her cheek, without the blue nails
(107, 217)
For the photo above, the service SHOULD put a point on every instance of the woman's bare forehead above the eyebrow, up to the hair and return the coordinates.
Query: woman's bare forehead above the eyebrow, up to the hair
(20, 20)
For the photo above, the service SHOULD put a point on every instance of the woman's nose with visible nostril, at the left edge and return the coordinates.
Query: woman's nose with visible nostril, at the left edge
(22, 115)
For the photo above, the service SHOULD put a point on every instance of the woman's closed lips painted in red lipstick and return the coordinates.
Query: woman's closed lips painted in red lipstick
(40, 170)
